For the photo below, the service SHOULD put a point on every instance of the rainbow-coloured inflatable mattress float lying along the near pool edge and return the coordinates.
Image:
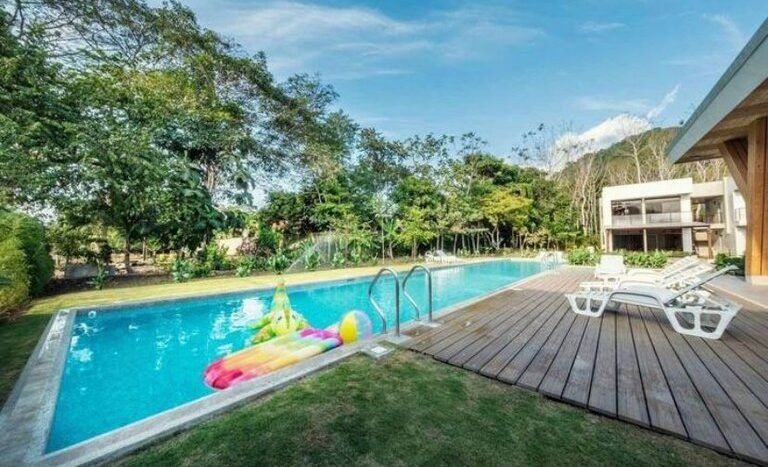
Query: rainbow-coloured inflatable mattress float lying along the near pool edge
(269, 356)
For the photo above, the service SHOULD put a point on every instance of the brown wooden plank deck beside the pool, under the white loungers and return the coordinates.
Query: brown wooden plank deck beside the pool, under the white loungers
(628, 364)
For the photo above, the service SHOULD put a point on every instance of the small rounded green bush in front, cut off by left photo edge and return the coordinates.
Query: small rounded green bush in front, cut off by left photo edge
(13, 267)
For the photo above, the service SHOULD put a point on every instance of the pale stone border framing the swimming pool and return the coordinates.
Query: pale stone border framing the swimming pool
(27, 415)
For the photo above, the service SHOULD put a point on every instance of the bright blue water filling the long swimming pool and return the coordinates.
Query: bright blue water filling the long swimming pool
(125, 365)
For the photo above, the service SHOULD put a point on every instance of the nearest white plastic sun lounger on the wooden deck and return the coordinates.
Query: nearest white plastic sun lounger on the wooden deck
(705, 316)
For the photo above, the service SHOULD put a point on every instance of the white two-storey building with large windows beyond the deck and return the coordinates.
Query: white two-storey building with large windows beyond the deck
(707, 218)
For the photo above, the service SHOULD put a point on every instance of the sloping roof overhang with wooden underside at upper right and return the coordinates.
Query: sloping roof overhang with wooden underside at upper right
(738, 98)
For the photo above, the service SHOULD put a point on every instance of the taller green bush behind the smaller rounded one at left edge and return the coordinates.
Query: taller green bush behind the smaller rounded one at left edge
(31, 237)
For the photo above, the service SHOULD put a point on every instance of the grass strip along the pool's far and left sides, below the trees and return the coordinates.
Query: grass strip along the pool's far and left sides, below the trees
(19, 335)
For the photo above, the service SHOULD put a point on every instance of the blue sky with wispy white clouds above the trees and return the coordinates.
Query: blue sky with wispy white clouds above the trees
(499, 68)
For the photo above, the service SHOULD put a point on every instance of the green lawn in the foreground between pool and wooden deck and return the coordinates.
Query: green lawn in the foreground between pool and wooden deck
(412, 410)
